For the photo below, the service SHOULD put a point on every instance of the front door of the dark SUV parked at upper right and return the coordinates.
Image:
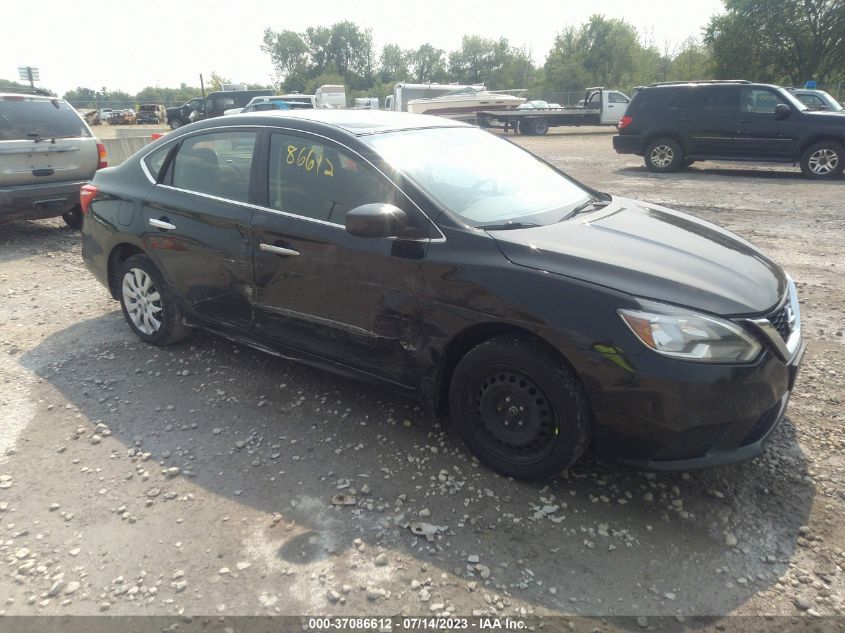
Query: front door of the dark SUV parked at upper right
(759, 134)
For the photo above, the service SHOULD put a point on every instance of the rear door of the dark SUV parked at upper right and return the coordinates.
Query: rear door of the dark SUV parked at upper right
(707, 118)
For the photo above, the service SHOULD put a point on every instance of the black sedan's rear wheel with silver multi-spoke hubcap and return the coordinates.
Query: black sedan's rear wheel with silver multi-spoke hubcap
(147, 300)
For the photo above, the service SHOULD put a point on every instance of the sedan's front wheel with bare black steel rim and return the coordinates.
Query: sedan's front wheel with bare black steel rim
(548, 422)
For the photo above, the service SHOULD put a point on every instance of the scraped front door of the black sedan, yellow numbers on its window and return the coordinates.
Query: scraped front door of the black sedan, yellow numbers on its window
(350, 300)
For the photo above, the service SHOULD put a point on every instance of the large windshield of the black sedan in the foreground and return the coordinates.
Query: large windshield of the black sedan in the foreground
(482, 178)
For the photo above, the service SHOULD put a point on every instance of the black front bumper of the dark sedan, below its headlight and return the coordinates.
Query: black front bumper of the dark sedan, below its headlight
(686, 416)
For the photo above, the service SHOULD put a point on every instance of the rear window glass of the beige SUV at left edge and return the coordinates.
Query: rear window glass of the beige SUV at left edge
(22, 119)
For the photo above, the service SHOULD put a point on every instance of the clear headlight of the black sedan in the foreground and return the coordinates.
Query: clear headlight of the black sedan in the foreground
(689, 335)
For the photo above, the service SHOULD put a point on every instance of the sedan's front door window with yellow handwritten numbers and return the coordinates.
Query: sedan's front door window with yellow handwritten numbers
(315, 180)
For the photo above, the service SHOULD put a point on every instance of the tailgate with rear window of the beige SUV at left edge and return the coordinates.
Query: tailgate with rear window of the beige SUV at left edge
(43, 141)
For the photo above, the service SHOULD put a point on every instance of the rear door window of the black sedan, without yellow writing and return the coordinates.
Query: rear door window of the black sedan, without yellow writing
(217, 164)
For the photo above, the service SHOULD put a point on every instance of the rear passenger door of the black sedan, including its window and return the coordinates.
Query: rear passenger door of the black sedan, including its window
(197, 224)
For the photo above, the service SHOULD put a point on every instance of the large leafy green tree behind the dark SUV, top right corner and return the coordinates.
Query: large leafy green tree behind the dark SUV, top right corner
(783, 40)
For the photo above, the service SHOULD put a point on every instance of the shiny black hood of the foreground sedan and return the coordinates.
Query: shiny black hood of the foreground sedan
(653, 253)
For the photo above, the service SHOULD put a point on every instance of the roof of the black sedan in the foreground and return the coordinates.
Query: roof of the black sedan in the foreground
(357, 122)
